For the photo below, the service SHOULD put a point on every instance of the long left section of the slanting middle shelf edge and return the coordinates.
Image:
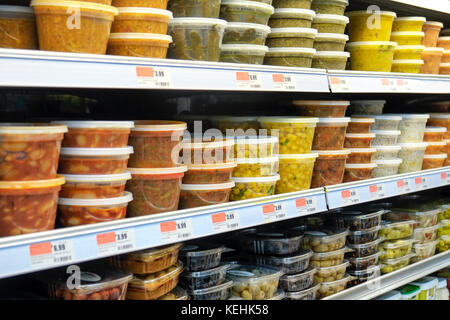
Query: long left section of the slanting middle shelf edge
(50, 249)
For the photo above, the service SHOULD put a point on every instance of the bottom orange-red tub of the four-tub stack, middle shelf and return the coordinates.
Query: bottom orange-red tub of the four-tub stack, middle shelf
(75, 212)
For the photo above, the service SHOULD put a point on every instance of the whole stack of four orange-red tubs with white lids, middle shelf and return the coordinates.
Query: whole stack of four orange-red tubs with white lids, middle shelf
(94, 159)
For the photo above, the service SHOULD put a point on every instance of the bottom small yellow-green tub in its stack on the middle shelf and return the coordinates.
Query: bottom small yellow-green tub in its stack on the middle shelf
(249, 188)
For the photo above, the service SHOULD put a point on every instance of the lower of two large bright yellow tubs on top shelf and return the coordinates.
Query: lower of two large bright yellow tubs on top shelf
(371, 55)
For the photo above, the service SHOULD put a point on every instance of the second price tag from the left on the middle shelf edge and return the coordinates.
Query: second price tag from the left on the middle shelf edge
(115, 242)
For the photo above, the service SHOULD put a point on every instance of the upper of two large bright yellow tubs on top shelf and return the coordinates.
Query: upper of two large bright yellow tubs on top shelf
(370, 26)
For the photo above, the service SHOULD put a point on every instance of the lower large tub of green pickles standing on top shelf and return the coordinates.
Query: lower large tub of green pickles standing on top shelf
(196, 38)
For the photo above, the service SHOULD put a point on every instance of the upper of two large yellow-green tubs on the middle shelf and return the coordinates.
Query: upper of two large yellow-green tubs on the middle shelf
(295, 134)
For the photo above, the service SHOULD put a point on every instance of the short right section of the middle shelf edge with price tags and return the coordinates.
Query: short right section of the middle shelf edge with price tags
(352, 193)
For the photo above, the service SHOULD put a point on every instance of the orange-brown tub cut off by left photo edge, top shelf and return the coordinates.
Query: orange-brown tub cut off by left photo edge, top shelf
(18, 26)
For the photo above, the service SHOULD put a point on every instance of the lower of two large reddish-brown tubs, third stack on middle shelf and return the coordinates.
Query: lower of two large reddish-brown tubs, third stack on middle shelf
(154, 190)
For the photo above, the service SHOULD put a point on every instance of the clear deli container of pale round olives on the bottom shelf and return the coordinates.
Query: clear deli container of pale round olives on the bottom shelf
(254, 282)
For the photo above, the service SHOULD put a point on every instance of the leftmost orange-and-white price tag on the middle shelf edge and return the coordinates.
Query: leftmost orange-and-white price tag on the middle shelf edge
(48, 254)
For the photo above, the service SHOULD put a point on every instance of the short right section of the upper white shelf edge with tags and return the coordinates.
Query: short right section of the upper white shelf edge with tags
(387, 82)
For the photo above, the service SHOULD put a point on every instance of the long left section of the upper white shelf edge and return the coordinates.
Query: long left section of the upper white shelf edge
(43, 69)
